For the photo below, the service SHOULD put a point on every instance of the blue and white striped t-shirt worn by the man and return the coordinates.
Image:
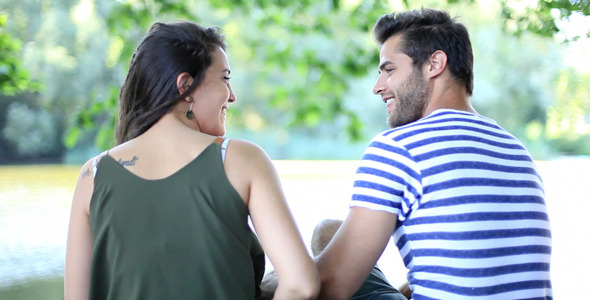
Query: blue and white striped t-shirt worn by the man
(472, 220)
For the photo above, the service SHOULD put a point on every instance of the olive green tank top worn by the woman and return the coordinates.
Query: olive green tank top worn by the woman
(185, 236)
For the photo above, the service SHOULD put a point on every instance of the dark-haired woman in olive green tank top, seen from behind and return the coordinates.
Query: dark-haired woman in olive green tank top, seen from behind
(163, 215)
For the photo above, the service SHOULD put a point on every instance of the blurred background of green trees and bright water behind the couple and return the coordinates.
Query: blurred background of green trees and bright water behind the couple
(303, 73)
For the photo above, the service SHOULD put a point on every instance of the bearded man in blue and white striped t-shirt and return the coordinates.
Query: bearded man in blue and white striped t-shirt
(461, 196)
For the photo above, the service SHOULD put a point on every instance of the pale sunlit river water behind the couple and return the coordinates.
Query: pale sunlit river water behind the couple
(35, 202)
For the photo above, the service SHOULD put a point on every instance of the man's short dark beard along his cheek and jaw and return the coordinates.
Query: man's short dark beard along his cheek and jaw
(411, 100)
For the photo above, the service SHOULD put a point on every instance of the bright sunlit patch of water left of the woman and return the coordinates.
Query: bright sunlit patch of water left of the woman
(34, 209)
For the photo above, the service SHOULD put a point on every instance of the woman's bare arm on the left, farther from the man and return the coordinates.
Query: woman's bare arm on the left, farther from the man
(79, 245)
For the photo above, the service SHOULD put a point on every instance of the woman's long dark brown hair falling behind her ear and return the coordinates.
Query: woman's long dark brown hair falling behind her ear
(150, 89)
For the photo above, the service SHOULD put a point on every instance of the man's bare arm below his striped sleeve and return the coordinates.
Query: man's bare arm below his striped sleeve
(353, 252)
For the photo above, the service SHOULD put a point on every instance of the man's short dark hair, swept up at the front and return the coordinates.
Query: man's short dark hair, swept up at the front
(425, 31)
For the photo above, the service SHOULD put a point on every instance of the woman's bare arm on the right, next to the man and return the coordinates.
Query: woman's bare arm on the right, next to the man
(274, 224)
